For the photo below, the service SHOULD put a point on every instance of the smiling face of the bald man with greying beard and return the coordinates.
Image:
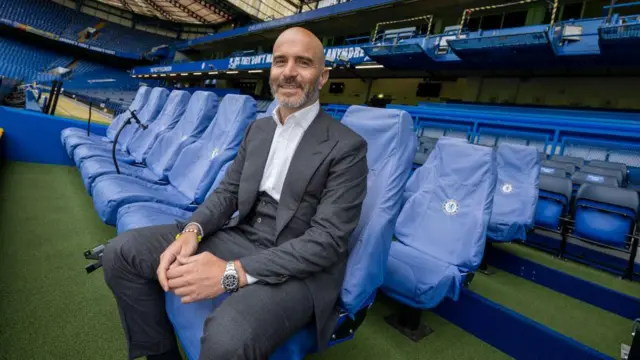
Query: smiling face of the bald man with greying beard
(296, 72)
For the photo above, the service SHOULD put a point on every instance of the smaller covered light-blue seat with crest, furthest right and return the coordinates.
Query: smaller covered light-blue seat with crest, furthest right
(514, 205)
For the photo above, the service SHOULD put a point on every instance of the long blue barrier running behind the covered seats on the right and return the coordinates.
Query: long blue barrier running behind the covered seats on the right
(607, 139)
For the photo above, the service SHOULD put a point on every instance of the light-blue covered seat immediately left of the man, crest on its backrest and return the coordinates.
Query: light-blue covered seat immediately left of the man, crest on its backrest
(194, 170)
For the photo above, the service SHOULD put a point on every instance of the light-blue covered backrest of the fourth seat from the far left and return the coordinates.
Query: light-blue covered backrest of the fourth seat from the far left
(201, 110)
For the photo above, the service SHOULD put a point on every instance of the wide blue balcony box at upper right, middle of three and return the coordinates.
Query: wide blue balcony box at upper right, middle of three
(505, 47)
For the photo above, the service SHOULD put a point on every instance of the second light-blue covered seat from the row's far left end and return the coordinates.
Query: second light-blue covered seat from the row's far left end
(147, 116)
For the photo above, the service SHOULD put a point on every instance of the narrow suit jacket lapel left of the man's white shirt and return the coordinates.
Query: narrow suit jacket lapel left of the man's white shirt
(253, 169)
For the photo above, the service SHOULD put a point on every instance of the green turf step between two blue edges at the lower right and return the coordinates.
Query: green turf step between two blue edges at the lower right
(585, 323)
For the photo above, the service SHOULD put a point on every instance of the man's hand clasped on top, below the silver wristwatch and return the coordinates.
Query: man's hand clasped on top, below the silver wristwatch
(197, 277)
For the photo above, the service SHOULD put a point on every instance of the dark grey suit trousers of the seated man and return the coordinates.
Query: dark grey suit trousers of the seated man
(249, 324)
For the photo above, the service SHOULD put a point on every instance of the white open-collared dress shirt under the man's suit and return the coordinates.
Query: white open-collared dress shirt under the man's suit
(283, 146)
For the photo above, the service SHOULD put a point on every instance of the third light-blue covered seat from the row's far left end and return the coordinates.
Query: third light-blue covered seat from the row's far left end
(141, 145)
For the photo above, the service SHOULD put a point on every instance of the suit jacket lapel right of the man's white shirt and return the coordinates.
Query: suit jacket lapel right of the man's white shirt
(311, 151)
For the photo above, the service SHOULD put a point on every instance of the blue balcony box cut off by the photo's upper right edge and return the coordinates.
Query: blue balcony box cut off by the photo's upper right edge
(620, 37)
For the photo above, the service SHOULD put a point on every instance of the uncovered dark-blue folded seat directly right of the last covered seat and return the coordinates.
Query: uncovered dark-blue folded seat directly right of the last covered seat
(553, 201)
